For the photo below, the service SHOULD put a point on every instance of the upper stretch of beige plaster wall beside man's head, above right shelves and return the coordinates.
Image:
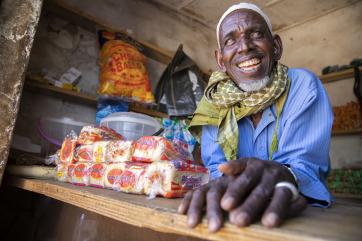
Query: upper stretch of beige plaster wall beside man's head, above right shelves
(334, 39)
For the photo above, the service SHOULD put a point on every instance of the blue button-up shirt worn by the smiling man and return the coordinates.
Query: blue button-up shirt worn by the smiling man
(303, 136)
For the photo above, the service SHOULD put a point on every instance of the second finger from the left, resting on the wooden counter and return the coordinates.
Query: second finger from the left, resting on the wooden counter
(196, 206)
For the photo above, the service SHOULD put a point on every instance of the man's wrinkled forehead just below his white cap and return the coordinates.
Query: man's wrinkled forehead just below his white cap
(242, 19)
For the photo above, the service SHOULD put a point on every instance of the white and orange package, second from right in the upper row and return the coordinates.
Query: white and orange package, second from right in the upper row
(119, 151)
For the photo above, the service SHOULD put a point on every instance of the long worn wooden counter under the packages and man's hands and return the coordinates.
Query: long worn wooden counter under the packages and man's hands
(341, 222)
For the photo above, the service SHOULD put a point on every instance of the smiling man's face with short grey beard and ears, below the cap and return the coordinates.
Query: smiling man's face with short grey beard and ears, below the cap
(248, 50)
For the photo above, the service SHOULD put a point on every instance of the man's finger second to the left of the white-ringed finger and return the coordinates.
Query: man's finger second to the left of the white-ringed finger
(239, 188)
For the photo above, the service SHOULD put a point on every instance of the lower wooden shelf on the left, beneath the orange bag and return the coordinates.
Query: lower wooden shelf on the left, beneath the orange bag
(35, 87)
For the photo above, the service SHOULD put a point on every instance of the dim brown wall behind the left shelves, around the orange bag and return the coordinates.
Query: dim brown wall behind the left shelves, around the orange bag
(58, 46)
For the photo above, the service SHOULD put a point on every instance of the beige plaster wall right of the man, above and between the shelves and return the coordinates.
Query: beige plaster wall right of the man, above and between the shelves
(334, 39)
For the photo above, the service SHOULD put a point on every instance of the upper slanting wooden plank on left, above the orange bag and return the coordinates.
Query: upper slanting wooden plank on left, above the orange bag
(91, 23)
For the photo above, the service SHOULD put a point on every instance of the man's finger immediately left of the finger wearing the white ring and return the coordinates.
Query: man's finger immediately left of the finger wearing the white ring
(257, 200)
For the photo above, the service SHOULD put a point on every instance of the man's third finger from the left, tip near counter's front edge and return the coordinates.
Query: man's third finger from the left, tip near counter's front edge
(214, 212)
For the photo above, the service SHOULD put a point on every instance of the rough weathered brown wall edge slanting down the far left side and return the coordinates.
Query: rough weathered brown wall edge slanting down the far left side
(18, 21)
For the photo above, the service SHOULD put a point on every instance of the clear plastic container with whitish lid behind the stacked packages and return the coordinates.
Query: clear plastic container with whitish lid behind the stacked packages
(131, 125)
